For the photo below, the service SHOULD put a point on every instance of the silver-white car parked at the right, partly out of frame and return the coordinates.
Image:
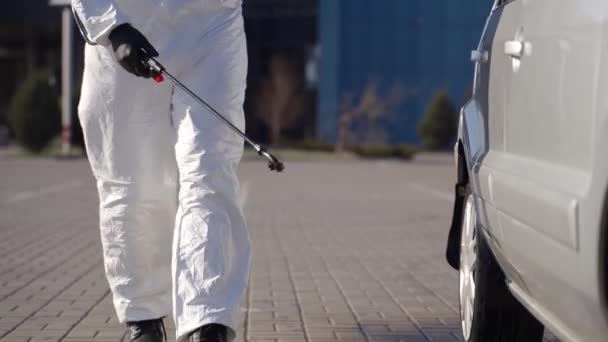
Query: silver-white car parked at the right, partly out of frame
(530, 227)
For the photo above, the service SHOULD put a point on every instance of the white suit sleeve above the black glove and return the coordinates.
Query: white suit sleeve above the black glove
(97, 18)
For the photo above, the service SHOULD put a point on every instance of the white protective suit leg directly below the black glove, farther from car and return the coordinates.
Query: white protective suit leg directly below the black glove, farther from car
(128, 136)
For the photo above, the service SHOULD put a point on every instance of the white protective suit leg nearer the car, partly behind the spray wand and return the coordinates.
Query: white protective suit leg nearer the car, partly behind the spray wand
(211, 246)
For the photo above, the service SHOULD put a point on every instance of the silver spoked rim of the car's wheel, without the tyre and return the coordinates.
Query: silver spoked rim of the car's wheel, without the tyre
(468, 267)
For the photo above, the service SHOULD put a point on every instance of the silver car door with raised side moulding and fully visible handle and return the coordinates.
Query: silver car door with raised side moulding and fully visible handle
(551, 66)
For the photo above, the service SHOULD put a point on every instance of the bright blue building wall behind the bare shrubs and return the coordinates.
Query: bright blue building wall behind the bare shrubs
(419, 45)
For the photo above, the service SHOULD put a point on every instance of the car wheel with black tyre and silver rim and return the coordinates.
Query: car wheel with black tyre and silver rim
(488, 310)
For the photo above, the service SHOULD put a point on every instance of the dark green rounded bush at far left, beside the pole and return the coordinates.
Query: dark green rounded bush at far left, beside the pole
(34, 112)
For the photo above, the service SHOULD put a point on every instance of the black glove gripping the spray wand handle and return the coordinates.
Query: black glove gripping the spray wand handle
(131, 49)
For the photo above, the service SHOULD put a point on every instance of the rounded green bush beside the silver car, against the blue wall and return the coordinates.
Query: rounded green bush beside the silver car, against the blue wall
(437, 129)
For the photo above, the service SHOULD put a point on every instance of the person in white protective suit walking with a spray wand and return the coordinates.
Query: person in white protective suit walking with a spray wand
(173, 235)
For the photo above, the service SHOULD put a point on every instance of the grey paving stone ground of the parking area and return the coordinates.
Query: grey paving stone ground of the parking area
(342, 251)
